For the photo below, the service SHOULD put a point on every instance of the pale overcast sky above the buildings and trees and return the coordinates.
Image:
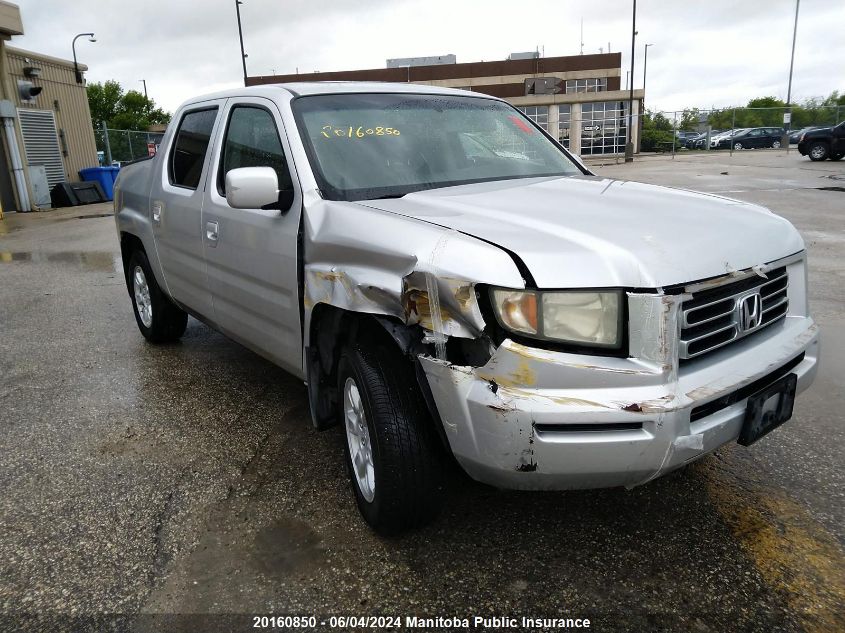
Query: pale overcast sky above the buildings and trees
(706, 53)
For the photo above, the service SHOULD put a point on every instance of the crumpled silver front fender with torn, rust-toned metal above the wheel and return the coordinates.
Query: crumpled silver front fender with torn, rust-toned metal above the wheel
(368, 261)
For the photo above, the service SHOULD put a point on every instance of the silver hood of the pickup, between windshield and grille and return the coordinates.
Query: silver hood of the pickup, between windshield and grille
(598, 232)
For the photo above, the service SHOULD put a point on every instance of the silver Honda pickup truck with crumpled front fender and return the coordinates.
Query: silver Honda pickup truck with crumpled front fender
(453, 284)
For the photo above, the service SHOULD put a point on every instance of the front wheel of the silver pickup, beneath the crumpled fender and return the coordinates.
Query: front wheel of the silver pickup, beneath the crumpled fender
(405, 488)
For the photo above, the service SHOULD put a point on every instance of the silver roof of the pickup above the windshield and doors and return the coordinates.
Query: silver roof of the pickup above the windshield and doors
(302, 88)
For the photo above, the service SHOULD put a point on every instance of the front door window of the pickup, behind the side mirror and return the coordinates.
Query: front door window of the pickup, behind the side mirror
(252, 140)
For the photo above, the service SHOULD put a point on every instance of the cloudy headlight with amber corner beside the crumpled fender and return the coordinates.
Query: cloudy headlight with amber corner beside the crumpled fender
(591, 318)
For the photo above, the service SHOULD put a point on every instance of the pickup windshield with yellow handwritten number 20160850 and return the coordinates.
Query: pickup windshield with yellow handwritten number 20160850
(365, 146)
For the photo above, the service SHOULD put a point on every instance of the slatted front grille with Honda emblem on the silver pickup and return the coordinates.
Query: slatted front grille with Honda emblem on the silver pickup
(718, 316)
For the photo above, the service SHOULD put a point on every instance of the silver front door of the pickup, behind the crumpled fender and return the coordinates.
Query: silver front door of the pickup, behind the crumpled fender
(251, 254)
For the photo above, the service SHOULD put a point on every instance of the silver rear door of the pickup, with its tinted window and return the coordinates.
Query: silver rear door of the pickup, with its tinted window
(177, 207)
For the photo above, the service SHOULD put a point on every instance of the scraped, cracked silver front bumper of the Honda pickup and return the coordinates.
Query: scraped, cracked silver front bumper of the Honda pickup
(537, 419)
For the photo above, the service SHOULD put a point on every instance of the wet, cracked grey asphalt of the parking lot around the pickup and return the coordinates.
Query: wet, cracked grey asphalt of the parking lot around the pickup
(187, 478)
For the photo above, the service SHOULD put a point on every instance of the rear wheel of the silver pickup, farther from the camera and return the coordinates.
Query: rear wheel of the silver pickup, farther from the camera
(158, 318)
